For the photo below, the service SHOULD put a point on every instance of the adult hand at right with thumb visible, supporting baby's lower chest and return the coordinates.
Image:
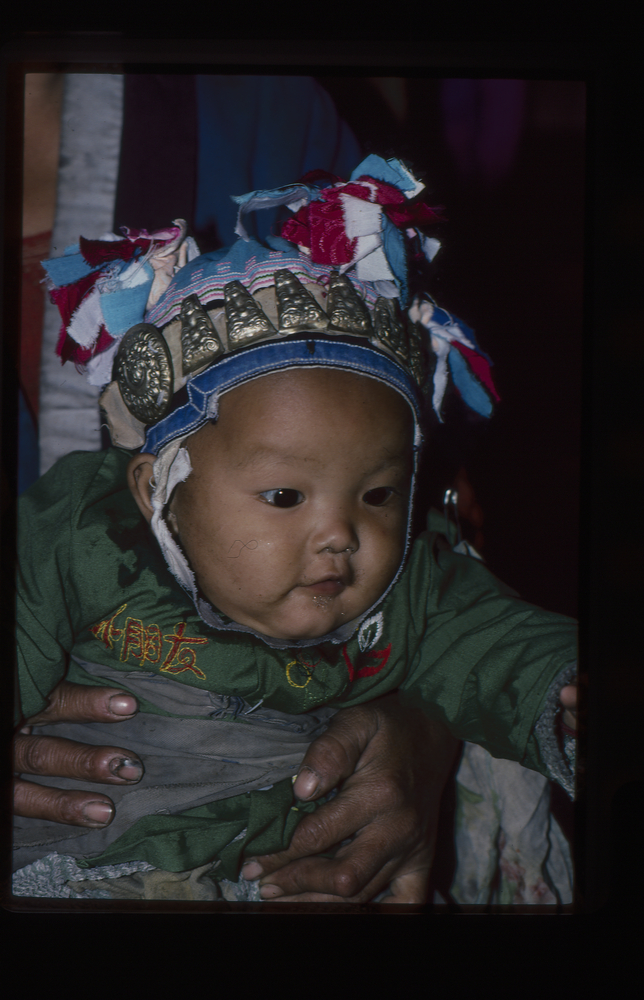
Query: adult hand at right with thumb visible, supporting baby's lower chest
(393, 763)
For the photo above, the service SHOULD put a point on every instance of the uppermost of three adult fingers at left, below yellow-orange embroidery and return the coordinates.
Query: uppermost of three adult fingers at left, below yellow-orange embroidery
(81, 703)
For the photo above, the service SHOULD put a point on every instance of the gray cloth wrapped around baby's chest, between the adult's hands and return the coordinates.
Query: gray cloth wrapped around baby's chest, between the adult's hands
(188, 762)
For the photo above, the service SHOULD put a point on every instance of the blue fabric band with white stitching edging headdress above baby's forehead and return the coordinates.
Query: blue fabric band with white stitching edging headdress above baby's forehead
(276, 355)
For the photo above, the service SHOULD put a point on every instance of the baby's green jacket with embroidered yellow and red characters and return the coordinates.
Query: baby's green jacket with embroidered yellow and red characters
(92, 583)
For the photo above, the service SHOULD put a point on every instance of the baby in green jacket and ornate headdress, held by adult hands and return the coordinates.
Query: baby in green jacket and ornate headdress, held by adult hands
(277, 421)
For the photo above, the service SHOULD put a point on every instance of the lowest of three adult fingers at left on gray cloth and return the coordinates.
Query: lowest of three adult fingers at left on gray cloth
(75, 808)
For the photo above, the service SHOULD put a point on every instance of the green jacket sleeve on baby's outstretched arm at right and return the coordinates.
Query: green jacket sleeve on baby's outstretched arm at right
(485, 661)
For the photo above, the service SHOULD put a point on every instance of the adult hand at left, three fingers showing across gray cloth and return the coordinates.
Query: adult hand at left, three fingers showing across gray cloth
(49, 755)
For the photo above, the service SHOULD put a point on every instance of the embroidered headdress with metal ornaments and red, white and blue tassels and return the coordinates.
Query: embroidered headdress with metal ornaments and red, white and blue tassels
(168, 331)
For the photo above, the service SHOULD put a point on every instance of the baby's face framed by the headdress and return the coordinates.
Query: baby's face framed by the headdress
(294, 516)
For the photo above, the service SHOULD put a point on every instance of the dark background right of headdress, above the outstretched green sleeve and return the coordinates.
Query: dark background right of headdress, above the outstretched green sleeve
(507, 161)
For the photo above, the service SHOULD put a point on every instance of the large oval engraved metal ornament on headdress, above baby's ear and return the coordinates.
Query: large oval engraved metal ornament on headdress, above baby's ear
(143, 370)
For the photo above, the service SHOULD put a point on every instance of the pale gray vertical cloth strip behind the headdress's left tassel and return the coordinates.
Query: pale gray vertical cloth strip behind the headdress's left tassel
(90, 144)
